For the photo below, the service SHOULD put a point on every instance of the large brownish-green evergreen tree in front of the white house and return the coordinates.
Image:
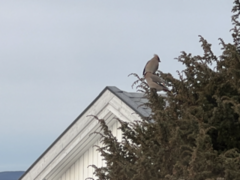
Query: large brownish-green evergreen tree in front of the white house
(192, 135)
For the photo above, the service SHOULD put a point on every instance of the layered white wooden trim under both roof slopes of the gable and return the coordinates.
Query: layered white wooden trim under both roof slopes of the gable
(76, 141)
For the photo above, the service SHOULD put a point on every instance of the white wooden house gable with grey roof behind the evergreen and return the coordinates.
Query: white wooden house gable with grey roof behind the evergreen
(70, 154)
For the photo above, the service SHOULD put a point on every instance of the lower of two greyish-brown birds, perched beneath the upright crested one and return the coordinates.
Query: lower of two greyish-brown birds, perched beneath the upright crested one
(155, 82)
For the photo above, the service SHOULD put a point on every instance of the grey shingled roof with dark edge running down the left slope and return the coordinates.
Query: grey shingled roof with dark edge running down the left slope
(132, 100)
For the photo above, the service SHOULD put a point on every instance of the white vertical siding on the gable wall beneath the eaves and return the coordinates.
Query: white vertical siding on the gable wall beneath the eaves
(80, 170)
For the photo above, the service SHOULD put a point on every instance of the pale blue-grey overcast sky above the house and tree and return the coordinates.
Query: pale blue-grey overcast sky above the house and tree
(56, 56)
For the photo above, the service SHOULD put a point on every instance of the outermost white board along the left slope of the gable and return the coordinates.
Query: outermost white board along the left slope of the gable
(59, 146)
